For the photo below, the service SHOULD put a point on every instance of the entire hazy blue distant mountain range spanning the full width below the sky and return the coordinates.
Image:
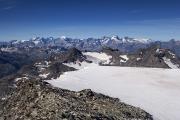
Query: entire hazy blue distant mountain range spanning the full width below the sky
(125, 44)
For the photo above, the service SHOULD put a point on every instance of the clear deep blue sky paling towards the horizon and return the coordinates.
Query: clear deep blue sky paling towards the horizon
(23, 19)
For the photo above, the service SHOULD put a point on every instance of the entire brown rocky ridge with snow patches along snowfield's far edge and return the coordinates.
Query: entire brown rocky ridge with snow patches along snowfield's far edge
(147, 57)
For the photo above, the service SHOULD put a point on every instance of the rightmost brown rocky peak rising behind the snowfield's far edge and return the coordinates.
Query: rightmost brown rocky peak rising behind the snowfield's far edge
(150, 58)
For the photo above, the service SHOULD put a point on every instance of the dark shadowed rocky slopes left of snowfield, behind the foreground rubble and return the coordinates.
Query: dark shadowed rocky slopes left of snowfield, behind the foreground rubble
(34, 62)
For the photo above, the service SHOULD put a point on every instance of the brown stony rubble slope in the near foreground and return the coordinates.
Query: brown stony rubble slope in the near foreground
(37, 100)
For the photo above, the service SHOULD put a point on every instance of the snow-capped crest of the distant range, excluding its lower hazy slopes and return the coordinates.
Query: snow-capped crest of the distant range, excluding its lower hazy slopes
(63, 40)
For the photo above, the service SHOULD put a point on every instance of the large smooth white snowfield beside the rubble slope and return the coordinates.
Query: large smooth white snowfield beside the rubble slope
(153, 89)
